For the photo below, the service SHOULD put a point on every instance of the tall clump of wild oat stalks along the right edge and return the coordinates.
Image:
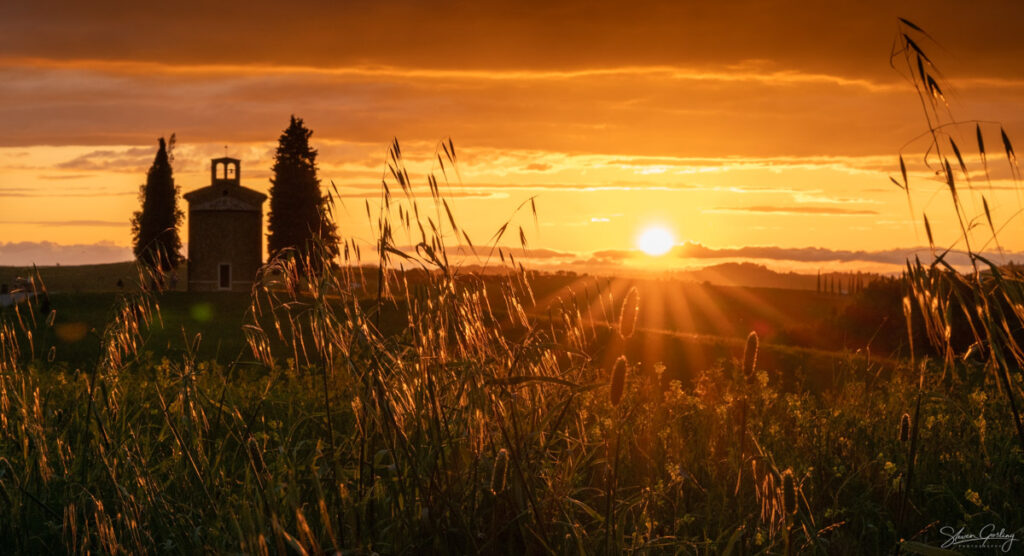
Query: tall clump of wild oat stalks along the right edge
(991, 297)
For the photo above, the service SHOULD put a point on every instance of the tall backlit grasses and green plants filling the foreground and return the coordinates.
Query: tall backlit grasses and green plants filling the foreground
(452, 437)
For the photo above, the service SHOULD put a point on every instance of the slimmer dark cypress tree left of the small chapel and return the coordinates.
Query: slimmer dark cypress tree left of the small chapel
(156, 227)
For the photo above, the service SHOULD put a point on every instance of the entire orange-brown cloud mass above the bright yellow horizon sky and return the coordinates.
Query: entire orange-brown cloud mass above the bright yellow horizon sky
(662, 78)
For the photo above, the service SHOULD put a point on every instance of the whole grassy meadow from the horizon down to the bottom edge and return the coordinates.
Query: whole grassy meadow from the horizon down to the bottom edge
(411, 407)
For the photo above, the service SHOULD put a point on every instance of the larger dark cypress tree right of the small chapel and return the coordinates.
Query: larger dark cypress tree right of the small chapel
(297, 207)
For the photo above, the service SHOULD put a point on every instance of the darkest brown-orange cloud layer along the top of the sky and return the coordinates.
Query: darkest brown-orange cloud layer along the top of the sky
(850, 38)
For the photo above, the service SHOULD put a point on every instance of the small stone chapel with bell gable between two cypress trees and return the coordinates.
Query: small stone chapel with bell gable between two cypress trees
(226, 232)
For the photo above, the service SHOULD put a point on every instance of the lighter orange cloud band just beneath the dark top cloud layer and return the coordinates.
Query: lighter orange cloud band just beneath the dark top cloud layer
(93, 103)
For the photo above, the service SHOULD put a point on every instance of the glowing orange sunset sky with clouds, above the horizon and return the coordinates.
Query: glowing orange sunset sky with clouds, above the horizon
(762, 132)
